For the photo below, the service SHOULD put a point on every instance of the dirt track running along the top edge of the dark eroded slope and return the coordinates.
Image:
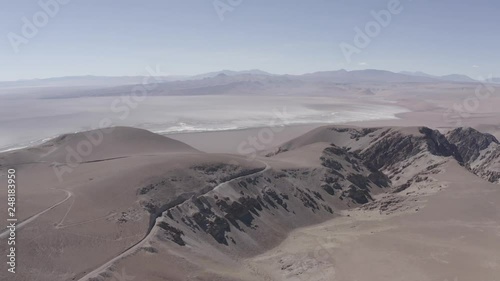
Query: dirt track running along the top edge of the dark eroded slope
(94, 273)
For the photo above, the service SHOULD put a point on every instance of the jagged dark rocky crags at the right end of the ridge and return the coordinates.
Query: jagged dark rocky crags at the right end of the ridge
(393, 150)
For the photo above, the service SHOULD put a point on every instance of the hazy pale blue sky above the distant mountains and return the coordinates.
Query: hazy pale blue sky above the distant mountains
(122, 37)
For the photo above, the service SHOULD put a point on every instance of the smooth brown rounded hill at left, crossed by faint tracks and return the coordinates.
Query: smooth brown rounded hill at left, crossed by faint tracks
(105, 212)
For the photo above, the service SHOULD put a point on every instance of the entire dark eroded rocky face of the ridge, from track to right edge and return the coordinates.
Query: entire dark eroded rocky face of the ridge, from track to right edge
(373, 161)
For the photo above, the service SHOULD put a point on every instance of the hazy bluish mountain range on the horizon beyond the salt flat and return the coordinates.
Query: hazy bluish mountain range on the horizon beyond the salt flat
(339, 83)
